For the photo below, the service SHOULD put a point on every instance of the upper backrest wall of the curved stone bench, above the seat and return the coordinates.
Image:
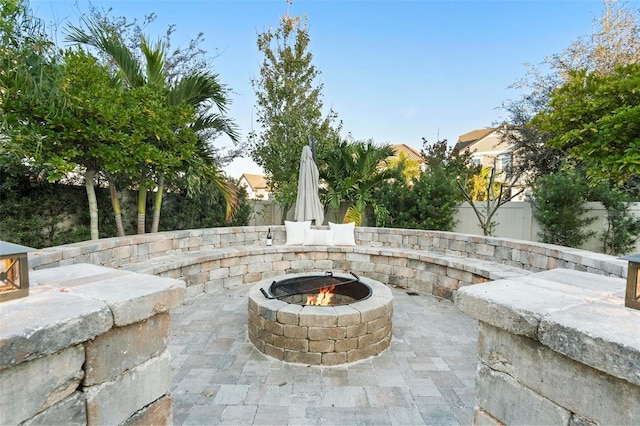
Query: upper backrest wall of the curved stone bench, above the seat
(527, 255)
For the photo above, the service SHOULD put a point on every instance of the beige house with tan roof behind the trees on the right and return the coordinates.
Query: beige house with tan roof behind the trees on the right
(488, 149)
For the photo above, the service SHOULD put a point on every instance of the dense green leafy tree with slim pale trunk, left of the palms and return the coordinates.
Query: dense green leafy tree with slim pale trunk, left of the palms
(99, 128)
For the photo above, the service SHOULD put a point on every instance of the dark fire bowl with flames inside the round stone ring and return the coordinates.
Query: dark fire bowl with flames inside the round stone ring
(323, 290)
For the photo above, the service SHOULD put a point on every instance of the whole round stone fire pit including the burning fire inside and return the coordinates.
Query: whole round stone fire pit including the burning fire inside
(285, 322)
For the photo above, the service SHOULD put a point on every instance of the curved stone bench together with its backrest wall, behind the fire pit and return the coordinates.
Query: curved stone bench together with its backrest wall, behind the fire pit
(429, 261)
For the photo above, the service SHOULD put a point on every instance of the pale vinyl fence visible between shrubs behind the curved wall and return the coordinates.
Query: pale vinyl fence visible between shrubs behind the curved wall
(514, 220)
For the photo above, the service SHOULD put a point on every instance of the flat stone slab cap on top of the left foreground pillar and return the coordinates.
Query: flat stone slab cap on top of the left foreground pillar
(75, 303)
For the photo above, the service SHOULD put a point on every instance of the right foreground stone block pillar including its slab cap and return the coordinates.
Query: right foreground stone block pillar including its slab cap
(556, 347)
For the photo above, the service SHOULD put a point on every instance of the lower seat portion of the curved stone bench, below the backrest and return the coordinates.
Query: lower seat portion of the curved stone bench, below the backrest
(213, 270)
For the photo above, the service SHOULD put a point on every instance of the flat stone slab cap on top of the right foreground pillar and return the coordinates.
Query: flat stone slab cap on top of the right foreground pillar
(578, 314)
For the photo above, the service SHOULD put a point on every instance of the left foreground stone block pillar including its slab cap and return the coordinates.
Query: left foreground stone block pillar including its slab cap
(88, 346)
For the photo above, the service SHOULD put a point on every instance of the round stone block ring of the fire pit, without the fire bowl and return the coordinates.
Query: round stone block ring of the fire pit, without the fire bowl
(320, 335)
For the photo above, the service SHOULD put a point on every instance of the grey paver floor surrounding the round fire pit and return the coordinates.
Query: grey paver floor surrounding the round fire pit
(427, 376)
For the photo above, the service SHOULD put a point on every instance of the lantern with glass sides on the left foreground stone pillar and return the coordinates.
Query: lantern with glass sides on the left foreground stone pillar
(14, 271)
